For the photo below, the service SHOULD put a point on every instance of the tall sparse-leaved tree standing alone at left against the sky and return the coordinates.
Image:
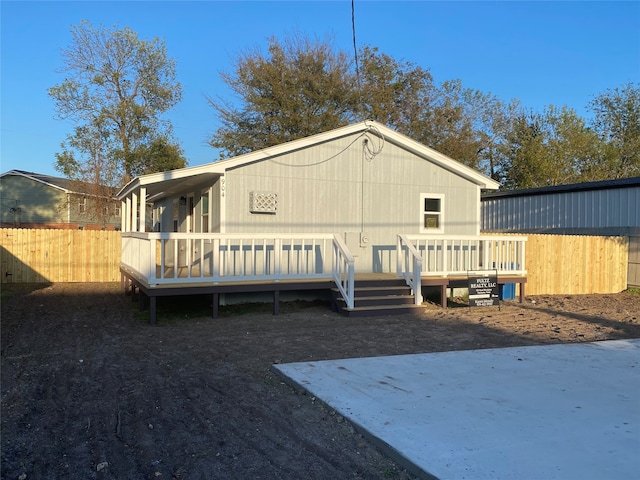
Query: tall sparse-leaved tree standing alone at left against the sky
(116, 88)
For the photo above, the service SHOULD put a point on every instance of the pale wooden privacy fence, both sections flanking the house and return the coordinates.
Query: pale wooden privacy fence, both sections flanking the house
(556, 264)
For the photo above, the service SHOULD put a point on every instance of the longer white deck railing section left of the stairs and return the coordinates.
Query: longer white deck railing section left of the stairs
(188, 258)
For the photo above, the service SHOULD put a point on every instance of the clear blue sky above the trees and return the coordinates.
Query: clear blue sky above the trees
(542, 53)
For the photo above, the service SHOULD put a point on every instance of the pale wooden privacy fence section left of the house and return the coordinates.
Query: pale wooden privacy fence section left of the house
(43, 256)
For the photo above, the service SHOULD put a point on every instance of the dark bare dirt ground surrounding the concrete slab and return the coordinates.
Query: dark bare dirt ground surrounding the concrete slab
(91, 390)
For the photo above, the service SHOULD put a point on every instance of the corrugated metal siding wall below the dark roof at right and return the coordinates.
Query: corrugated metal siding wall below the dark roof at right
(593, 209)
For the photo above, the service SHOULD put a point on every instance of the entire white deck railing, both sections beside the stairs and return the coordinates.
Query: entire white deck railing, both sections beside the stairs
(189, 258)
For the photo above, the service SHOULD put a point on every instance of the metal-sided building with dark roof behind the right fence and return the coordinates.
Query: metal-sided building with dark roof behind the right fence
(609, 207)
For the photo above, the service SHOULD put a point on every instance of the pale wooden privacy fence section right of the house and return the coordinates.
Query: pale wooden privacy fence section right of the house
(576, 264)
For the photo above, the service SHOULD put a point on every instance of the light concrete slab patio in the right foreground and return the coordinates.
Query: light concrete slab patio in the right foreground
(545, 412)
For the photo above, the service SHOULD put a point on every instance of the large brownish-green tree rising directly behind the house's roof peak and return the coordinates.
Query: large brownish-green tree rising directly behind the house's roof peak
(300, 88)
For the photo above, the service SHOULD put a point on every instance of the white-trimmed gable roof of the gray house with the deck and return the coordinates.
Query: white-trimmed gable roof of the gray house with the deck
(163, 184)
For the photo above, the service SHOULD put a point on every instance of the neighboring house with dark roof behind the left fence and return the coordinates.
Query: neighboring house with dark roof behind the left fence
(32, 200)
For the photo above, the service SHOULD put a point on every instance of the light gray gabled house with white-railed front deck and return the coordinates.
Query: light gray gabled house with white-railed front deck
(359, 199)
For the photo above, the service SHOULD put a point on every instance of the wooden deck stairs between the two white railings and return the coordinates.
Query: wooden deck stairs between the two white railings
(377, 294)
